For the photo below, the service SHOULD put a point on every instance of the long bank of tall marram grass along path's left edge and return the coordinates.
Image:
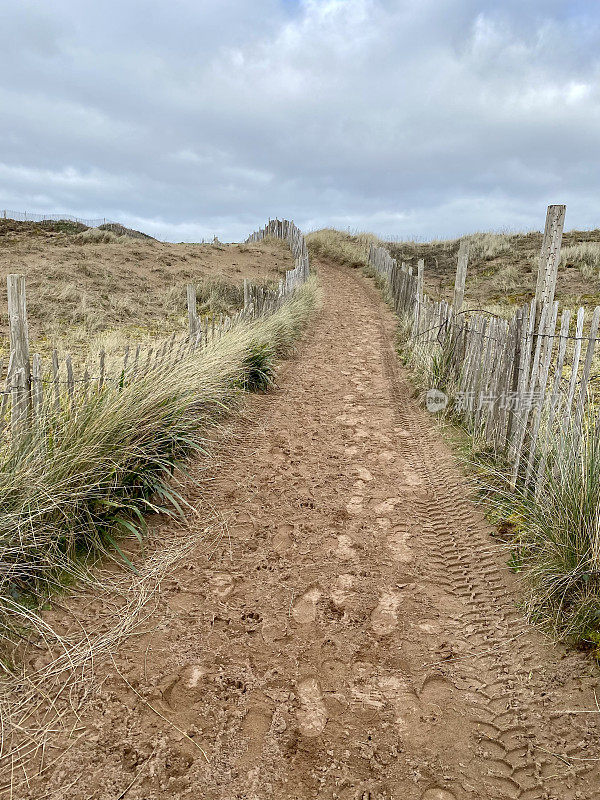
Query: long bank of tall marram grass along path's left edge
(84, 476)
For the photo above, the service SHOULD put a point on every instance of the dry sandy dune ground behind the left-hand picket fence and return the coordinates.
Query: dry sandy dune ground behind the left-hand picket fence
(83, 288)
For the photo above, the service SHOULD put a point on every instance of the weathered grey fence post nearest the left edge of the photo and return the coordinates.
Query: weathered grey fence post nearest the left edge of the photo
(19, 349)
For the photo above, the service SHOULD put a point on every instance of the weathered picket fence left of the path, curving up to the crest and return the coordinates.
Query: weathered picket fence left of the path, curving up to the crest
(31, 384)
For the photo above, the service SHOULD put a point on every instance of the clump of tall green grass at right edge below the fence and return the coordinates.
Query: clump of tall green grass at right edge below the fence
(556, 539)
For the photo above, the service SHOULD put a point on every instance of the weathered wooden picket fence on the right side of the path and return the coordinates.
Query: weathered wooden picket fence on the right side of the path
(520, 384)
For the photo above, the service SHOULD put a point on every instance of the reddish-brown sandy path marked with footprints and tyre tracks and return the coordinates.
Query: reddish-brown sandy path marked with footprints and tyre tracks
(355, 635)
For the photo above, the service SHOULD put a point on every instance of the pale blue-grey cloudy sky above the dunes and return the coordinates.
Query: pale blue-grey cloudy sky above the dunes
(190, 118)
